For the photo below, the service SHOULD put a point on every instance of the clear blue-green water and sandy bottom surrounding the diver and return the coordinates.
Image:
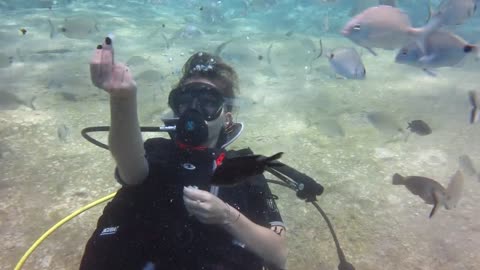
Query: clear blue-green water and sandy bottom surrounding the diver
(290, 101)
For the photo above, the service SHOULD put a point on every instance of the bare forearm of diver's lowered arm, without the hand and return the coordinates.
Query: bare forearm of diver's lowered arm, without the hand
(268, 244)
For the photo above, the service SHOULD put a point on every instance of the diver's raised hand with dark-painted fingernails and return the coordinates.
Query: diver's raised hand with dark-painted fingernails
(115, 78)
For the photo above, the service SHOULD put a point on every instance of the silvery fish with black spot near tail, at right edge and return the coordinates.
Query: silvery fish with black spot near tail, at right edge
(442, 49)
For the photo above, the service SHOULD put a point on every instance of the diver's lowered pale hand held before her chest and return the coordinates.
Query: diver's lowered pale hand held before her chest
(206, 207)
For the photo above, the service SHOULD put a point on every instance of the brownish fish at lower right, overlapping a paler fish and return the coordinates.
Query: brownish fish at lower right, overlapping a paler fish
(428, 189)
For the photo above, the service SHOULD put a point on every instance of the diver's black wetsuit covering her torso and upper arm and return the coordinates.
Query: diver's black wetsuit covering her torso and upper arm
(147, 226)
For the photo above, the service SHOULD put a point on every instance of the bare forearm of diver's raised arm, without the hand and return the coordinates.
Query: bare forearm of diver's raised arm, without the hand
(125, 139)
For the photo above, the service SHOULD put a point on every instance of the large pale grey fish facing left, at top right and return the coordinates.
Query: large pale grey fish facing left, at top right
(383, 27)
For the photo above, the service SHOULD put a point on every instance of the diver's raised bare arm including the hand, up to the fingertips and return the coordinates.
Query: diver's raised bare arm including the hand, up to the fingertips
(125, 140)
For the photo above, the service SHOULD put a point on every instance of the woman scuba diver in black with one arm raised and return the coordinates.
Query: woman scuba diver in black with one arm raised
(168, 214)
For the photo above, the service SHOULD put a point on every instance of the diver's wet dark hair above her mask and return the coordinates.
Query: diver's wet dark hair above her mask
(211, 67)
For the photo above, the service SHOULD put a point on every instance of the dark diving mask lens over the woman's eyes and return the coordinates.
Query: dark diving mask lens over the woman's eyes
(202, 97)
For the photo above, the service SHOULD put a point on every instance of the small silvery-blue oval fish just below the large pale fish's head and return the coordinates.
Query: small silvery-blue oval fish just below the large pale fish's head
(347, 63)
